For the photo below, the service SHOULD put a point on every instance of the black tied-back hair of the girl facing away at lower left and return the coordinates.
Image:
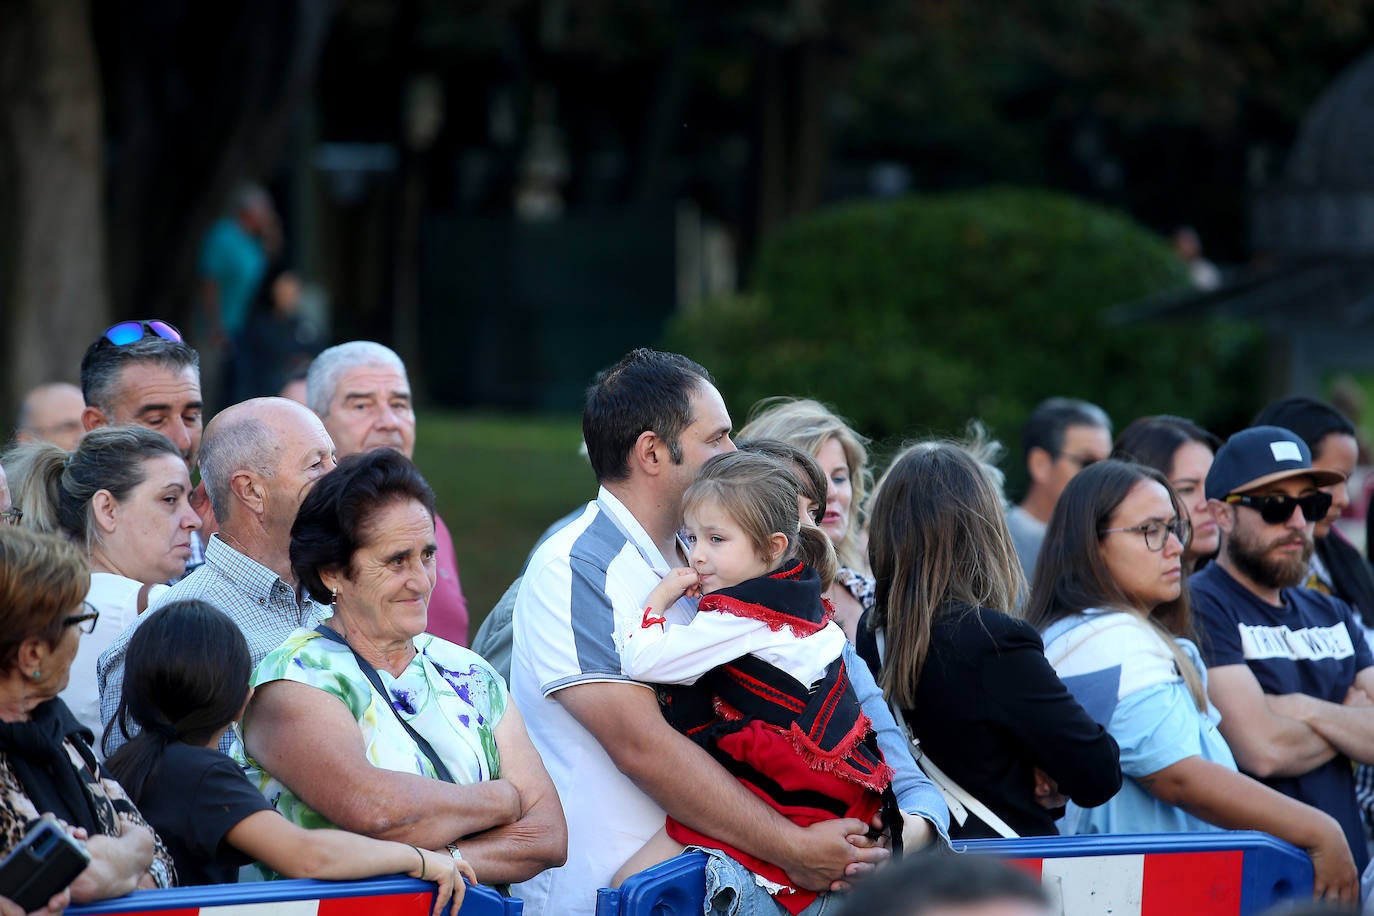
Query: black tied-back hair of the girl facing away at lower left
(186, 678)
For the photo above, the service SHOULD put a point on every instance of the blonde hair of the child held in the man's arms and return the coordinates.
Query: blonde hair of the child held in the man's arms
(761, 495)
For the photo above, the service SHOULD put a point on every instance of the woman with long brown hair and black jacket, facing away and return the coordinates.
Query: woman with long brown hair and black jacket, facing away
(971, 680)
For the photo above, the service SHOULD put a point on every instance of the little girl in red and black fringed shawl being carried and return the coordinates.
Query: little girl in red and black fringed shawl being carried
(773, 698)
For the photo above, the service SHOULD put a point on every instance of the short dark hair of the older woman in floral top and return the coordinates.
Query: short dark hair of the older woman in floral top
(330, 525)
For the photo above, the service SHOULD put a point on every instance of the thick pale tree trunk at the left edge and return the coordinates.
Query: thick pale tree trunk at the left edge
(56, 295)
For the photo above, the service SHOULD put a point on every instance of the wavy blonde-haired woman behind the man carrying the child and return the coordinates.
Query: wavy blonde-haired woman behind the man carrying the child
(843, 457)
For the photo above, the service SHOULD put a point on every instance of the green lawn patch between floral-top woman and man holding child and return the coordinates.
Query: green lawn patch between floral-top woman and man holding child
(501, 481)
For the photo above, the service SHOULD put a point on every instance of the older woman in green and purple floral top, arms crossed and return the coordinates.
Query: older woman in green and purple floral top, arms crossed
(370, 724)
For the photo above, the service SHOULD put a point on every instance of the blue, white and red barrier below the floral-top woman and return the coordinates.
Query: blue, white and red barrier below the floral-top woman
(398, 896)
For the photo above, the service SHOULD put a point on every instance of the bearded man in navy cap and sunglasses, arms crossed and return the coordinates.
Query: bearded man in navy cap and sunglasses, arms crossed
(1288, 667)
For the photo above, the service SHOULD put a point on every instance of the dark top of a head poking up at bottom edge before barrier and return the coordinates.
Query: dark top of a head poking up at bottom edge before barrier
(935, 878)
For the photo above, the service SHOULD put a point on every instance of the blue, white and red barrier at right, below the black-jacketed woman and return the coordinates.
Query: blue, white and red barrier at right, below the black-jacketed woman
(1219, 874)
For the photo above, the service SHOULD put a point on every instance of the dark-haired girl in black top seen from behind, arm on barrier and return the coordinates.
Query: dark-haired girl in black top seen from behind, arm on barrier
(186, 683)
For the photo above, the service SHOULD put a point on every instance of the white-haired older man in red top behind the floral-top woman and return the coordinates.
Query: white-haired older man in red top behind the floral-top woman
(362, 393)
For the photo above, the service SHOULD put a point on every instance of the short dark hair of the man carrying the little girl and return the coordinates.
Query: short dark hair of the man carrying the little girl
(646, 391)
